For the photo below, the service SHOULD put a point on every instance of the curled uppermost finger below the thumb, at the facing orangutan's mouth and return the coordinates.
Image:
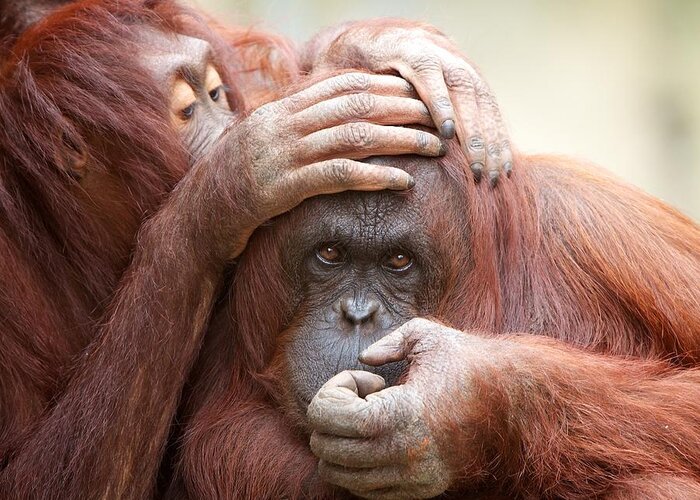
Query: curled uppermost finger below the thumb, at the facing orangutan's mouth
(338, 411)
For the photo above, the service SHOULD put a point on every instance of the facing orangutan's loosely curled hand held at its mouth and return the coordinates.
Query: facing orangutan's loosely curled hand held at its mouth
(395, 442)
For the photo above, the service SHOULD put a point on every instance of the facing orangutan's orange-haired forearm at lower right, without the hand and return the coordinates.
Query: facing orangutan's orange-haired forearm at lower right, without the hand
(587, 422)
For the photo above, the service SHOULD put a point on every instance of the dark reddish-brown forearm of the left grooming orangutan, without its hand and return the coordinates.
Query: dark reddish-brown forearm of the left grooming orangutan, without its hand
(106, 432)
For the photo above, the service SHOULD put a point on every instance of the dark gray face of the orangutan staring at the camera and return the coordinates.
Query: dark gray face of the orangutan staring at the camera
(363, 265)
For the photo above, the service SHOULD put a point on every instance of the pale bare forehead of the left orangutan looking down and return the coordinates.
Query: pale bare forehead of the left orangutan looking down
(167, 55)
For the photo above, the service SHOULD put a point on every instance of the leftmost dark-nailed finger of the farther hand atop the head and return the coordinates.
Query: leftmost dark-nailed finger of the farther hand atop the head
(426, 75)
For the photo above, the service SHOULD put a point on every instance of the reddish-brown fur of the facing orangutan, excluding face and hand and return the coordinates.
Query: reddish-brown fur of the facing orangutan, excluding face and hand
(609, 404)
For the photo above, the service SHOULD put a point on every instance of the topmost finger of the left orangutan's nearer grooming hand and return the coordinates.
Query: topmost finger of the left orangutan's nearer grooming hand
(348, 83)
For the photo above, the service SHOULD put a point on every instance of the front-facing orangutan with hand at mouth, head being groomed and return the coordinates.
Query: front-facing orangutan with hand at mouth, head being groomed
(569, 368)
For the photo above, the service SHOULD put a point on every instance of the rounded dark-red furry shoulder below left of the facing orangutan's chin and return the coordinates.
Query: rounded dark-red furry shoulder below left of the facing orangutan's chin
(239, 445)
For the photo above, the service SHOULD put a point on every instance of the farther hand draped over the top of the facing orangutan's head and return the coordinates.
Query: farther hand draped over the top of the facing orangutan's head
(450, 86)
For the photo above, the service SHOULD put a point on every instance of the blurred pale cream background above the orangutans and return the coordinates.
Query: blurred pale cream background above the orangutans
(613, 81)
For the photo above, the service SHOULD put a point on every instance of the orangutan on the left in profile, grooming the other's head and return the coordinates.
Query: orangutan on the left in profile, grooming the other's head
(105, 108)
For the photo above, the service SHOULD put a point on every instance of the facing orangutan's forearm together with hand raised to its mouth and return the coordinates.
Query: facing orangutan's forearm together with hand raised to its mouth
(506, 414)
